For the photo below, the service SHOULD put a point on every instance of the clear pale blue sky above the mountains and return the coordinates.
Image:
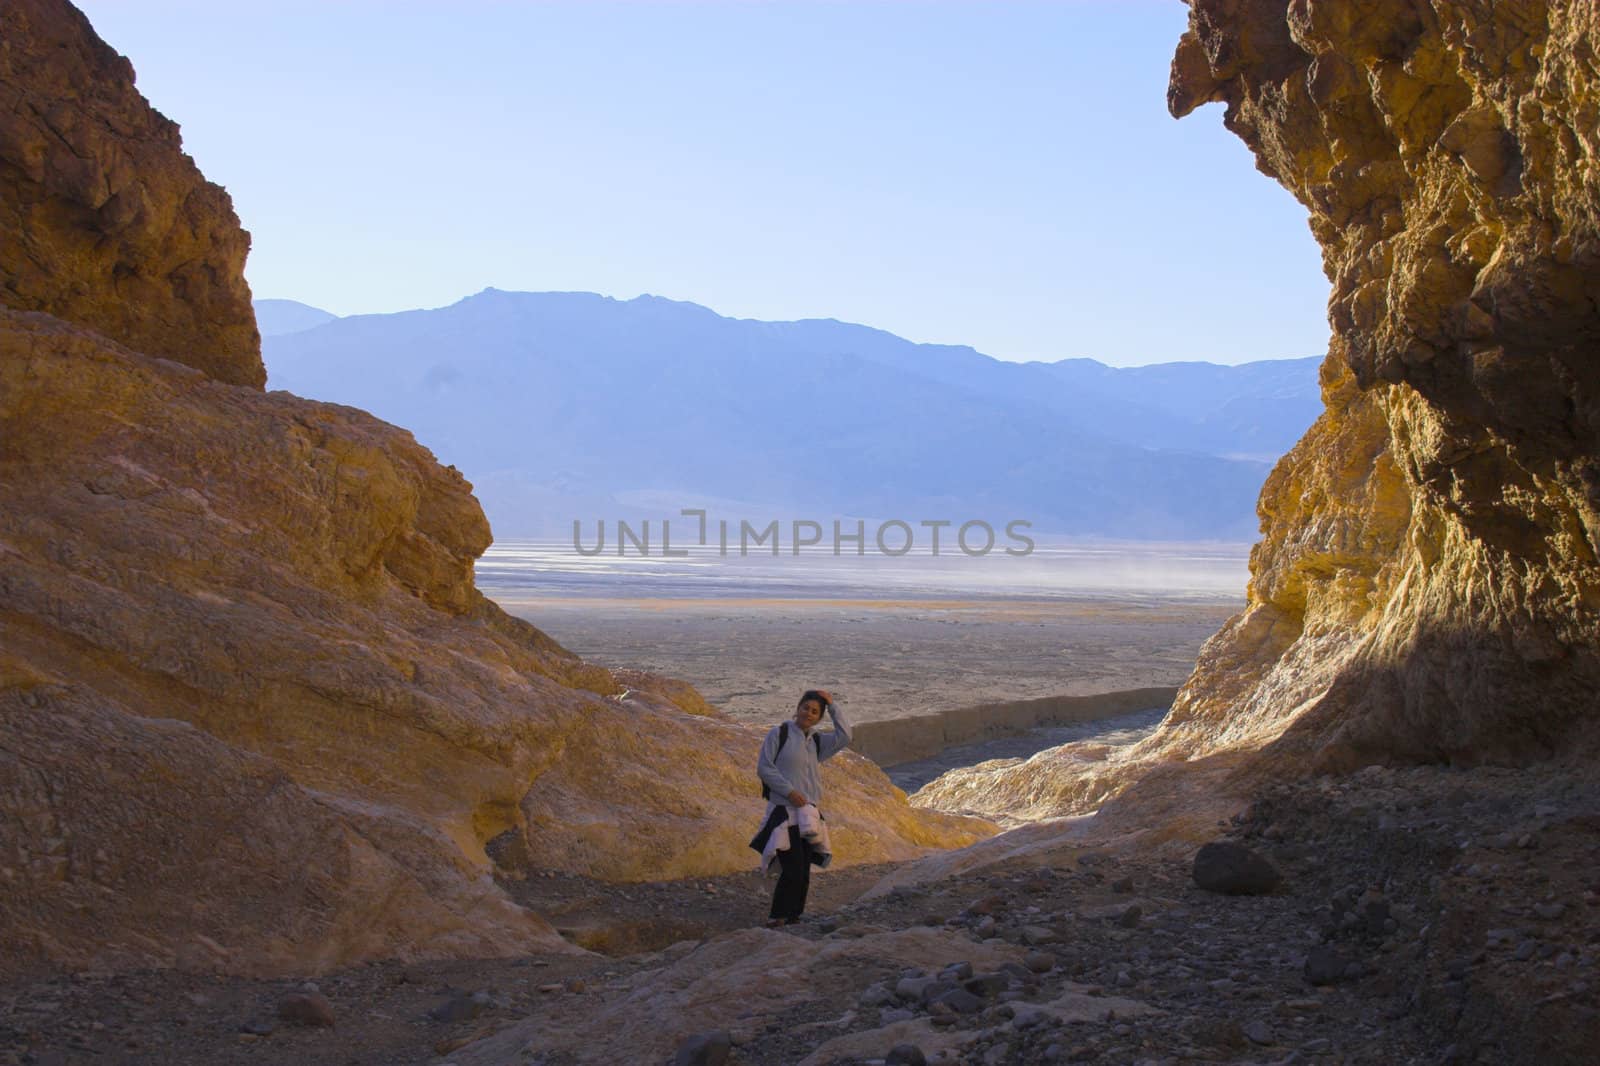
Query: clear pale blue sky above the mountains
(1001, 175)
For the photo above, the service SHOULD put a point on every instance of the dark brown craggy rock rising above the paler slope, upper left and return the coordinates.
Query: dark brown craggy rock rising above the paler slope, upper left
(103, 217)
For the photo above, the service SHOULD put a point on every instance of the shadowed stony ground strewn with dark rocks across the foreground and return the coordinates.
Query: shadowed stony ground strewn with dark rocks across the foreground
(1425, 916)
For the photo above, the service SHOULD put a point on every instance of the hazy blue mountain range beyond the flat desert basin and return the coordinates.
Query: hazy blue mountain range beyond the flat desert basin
(574, 406)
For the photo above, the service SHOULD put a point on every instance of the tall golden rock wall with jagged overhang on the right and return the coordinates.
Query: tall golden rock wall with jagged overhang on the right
(1426, 587)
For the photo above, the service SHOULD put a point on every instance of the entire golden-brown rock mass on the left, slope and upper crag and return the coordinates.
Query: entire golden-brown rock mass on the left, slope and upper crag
(257, 715)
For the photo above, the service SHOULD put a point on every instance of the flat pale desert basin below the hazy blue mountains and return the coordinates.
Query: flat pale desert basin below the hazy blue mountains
(889, 638)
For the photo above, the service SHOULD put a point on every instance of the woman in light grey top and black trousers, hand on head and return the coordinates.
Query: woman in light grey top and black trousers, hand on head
(794, 836)
